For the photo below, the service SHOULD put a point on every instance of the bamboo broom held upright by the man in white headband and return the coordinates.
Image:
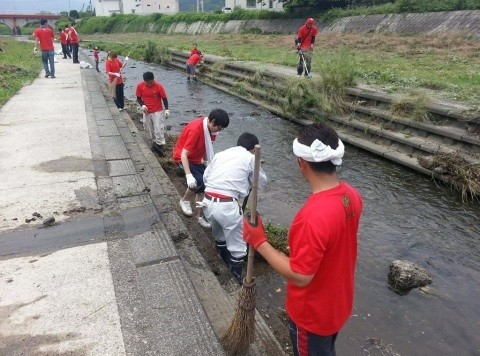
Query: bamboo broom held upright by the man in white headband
(240, 334)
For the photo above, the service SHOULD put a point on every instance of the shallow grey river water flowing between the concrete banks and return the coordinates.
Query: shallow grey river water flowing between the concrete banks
(406, 216)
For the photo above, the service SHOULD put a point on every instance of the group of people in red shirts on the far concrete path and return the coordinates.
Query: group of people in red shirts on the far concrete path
(44, 37)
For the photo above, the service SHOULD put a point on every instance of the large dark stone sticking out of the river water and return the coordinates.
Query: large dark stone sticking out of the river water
(405, 275)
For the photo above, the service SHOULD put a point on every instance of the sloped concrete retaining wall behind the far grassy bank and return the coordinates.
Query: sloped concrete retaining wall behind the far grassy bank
(427, 23)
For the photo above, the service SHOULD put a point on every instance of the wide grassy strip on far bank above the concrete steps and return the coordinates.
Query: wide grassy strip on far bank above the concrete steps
(441, 66)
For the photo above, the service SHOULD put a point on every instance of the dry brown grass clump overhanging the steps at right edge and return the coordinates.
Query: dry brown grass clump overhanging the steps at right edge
(465, 177)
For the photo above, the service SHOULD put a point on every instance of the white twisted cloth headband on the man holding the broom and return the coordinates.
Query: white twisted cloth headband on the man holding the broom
(319, 152)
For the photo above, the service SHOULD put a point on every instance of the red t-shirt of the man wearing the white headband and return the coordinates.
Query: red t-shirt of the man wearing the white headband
(323, 242)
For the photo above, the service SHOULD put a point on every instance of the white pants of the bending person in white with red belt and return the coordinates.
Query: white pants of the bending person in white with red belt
(227, 225)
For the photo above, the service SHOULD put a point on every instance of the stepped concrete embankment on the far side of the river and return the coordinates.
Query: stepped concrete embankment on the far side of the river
(451, 129)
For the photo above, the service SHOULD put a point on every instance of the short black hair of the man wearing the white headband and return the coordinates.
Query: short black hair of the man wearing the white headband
(324, 133)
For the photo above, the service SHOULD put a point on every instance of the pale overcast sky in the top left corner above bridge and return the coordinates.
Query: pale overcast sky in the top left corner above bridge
(33, 6)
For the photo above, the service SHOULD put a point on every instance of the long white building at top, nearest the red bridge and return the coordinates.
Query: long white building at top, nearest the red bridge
(140, 7)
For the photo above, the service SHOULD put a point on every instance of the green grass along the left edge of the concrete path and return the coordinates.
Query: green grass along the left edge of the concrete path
(18, 67)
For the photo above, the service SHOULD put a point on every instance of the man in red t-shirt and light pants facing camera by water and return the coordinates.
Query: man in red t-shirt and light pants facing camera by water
(150, 95)
